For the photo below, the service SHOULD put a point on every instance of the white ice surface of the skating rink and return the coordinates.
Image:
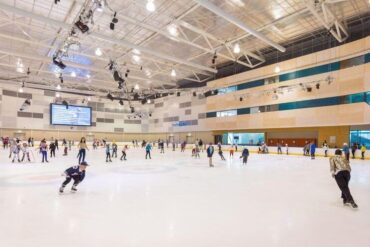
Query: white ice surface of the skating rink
(174, 200)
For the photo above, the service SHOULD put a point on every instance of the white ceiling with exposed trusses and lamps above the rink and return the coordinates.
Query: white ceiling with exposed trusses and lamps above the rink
(183, 36)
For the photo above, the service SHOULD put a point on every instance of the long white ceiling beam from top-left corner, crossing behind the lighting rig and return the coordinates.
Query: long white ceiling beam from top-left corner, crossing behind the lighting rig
(6, 7)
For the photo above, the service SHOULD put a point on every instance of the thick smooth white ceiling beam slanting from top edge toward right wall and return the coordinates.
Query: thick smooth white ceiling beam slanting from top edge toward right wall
(232, 19)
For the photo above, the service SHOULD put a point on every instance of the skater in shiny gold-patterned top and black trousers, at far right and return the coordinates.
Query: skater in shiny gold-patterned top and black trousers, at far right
(341, 171)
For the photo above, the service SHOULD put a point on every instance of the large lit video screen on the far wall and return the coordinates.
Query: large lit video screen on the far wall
(70, 115)
